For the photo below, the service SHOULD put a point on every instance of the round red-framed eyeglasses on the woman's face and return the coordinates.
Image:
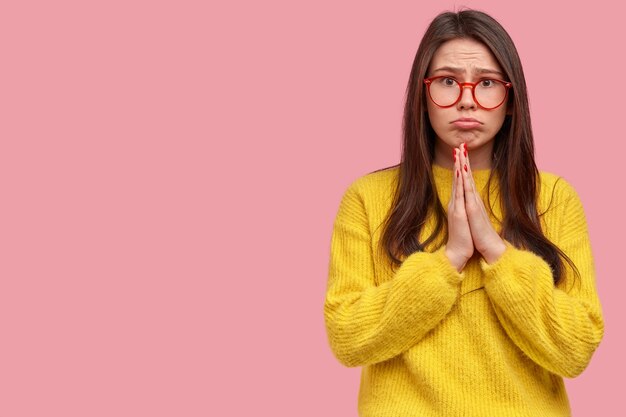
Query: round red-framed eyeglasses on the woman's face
(446, 91)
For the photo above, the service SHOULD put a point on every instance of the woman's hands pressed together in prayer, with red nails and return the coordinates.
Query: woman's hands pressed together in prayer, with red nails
(469, 227)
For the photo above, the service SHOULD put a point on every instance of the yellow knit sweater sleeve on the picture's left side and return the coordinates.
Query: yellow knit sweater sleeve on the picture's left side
(368, 323)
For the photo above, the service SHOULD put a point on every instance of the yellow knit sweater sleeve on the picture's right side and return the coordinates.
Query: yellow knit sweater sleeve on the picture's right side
(558, 328)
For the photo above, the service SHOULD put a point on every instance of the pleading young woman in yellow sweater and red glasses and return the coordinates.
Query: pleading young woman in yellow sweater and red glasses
(462, 279)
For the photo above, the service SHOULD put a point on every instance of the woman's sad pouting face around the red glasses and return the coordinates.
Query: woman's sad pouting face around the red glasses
(465, 58)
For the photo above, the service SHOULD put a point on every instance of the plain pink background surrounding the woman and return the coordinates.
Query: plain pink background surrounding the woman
(170, 173)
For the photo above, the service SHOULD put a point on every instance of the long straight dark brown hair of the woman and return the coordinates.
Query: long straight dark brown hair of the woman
(513, 153)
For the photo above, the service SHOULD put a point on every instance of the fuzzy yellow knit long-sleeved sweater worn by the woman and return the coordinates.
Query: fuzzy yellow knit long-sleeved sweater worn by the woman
(493, 340)
